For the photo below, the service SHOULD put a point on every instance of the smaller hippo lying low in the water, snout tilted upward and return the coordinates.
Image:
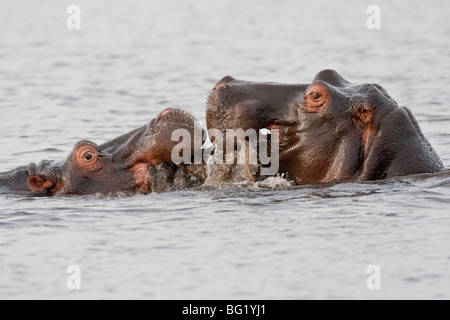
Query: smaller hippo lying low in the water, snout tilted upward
(139, 161)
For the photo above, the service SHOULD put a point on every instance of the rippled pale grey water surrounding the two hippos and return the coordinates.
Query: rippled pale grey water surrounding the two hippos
(128, 62)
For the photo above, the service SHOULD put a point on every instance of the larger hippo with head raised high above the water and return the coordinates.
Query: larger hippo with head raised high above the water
(329, 129)
